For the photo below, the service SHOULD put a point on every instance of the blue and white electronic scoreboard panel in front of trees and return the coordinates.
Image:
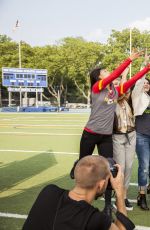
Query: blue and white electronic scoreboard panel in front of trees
(23, 77)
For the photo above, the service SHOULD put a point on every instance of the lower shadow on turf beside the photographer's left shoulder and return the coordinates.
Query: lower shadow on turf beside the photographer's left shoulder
(21, 203)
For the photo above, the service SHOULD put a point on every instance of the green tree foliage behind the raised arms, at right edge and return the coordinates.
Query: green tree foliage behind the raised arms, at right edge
(118, 47)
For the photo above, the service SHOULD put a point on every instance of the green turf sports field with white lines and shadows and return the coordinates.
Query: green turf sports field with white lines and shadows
(38, 149)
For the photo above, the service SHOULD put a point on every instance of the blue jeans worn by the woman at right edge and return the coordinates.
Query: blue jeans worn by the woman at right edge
(143, 154)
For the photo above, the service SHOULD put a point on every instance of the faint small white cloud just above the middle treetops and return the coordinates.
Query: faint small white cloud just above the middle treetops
(97, 35)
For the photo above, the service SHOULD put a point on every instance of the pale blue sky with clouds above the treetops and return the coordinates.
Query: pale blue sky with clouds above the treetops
(46, 21)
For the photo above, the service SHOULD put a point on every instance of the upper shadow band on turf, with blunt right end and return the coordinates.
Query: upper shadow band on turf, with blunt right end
(18, 171)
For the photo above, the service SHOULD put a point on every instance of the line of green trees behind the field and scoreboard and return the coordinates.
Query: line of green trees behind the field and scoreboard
(70, 61)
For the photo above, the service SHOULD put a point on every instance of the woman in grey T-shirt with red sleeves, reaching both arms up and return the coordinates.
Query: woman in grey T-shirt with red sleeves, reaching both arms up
(98, 130)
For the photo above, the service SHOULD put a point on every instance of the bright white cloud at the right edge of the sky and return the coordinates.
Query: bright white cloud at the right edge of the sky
(141, 24)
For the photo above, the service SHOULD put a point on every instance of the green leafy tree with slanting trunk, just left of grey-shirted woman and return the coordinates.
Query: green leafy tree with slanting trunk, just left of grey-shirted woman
(79, 58)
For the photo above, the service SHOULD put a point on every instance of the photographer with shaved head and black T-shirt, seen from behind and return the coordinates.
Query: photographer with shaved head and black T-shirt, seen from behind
(57, 208)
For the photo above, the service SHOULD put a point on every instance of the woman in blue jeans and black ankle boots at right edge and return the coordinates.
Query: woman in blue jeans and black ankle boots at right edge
(141, 106)
